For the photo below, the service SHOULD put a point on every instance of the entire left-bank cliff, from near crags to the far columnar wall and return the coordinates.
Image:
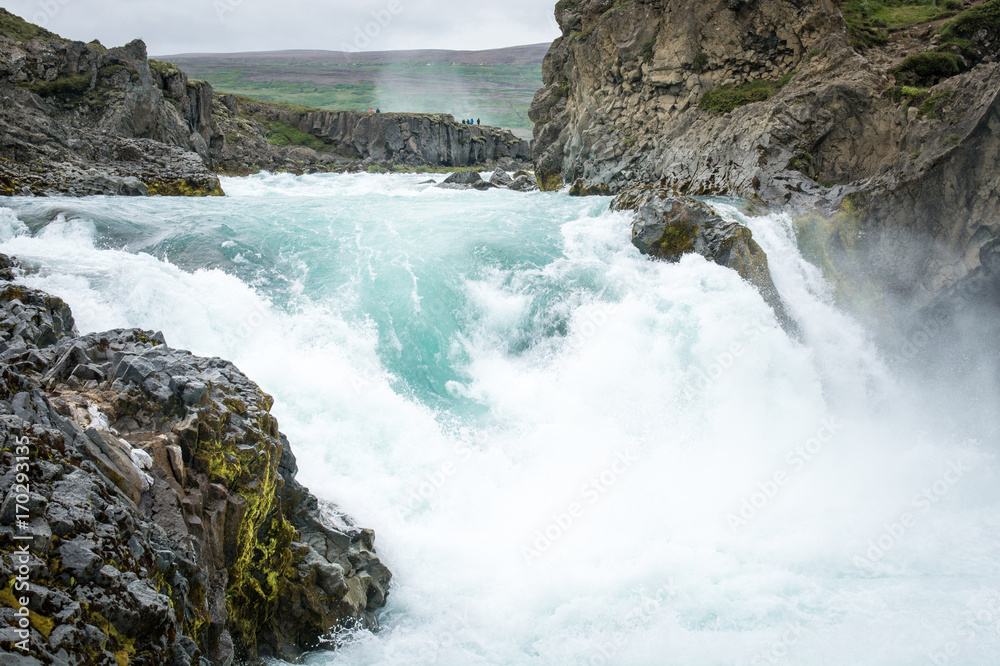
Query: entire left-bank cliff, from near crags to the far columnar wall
(82, 119)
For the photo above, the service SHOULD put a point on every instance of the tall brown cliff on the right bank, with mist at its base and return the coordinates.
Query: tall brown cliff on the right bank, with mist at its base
(877, 125)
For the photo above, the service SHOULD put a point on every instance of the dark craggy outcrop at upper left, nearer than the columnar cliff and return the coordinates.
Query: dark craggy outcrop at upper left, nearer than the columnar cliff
(96, 121)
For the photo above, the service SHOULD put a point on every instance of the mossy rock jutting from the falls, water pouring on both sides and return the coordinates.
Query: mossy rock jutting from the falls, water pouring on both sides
(667, 227)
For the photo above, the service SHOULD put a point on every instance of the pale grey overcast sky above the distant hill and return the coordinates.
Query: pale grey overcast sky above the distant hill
(222, 26)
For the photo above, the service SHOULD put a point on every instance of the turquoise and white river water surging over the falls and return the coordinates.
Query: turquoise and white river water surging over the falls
(570, 454)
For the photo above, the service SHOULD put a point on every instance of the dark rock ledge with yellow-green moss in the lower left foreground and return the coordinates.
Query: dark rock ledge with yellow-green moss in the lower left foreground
(151, 512)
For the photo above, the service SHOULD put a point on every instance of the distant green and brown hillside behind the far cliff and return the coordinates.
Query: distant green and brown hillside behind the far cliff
(495, 86)
